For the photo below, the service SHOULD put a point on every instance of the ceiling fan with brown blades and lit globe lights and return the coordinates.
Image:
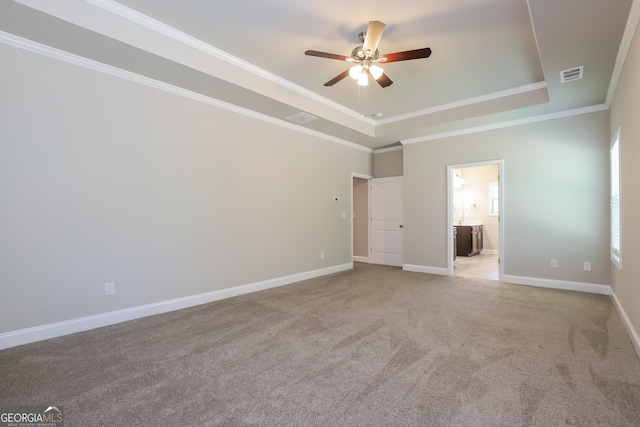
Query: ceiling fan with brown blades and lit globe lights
(366, 58)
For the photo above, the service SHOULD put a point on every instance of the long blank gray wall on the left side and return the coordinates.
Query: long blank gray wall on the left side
(103, 180)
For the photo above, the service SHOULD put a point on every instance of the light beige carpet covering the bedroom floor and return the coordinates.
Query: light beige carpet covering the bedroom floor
(375, 346)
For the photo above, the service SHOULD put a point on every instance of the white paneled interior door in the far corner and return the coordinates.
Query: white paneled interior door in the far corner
(386, 198)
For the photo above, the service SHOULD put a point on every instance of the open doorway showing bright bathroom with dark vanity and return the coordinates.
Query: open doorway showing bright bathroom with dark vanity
(475, 219)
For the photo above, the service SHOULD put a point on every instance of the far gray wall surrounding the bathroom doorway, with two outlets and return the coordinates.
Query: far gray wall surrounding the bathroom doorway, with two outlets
(555, 202)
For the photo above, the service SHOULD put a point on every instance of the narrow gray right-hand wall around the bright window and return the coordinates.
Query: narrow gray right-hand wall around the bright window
(624, 114)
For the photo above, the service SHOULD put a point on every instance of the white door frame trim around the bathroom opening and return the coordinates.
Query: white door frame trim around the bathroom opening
(501, 215)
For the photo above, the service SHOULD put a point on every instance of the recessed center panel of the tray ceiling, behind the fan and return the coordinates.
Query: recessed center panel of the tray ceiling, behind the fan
(473, 45)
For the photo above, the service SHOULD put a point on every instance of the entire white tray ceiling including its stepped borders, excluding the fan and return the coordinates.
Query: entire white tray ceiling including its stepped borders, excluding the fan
(493, 61)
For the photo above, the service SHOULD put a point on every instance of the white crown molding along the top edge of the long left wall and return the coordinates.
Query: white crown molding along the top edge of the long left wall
(48, 51)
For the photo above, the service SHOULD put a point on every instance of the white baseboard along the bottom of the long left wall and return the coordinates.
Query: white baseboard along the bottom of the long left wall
(58, 329)
